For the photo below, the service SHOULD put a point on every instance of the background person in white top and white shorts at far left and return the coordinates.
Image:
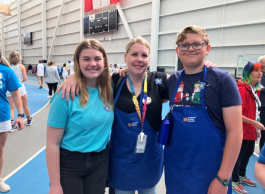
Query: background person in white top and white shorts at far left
(20, 72)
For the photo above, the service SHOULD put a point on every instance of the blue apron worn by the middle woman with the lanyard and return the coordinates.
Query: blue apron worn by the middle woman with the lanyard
(129, 170)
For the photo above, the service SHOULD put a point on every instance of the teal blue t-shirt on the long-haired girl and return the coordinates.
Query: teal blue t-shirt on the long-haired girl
(87, 128)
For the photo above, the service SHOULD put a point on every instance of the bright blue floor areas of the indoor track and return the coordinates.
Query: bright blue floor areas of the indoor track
(33, 177)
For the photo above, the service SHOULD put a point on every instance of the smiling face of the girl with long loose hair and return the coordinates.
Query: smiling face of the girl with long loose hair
(91, 62)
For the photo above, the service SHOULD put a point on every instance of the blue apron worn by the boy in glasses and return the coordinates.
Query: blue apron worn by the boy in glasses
(194, 154)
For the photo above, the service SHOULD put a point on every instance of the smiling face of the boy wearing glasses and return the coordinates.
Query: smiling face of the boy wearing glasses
(193, 58)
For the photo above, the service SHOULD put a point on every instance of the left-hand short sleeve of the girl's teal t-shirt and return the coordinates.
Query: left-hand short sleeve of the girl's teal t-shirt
(58, 114)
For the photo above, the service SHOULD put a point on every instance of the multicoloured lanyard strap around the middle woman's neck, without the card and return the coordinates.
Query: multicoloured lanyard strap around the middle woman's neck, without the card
(135, 101)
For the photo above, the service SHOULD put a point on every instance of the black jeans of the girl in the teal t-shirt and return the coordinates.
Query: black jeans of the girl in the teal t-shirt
(83, 173)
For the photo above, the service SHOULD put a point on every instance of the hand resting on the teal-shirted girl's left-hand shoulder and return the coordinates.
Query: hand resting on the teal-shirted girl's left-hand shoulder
(69, 85)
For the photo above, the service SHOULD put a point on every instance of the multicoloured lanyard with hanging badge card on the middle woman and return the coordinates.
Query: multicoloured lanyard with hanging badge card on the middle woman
(141, 138)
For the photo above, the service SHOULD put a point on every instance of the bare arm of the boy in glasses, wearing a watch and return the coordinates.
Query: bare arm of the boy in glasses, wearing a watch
(233, 124)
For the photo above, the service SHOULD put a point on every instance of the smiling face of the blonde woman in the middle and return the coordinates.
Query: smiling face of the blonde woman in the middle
(137, 58)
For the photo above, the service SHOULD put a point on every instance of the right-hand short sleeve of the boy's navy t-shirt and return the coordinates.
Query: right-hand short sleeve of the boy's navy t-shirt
(229, 94)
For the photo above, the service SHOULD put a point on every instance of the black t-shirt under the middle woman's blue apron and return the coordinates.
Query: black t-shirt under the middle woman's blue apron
(155, 90)
